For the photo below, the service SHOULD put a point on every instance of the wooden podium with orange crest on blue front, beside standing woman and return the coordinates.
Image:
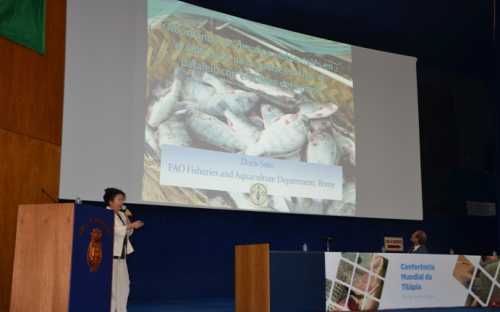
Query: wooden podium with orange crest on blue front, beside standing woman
(63, 258)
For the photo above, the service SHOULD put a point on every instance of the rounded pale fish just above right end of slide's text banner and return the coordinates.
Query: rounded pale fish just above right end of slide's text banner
(321, 148)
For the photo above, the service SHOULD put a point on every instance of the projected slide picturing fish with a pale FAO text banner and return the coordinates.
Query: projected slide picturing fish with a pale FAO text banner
(240, 115)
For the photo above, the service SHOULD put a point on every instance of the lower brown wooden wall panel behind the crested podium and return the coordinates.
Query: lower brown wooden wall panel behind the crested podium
(27, 166)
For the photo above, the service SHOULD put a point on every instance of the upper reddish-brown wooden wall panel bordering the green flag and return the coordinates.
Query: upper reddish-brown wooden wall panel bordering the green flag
(31, 85)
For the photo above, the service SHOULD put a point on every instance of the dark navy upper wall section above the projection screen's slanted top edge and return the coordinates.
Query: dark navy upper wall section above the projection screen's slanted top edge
(451, 34)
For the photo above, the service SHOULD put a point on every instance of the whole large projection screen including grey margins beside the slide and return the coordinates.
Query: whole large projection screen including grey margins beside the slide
(184, 106)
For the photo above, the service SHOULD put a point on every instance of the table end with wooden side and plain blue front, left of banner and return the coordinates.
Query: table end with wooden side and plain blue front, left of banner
(278, 281)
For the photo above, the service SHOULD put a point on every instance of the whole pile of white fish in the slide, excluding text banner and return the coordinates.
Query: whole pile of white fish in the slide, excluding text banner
(199, 110)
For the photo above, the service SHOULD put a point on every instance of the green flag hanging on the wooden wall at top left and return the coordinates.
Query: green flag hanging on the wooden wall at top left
(23, 21)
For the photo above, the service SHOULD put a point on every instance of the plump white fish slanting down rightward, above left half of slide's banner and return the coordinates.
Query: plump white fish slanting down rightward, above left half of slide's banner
(211, 130)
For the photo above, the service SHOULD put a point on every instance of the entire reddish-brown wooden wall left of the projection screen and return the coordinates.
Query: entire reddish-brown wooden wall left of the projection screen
(31, 97)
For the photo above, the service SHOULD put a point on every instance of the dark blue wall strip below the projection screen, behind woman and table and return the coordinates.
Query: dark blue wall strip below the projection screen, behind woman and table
(188, 253)
